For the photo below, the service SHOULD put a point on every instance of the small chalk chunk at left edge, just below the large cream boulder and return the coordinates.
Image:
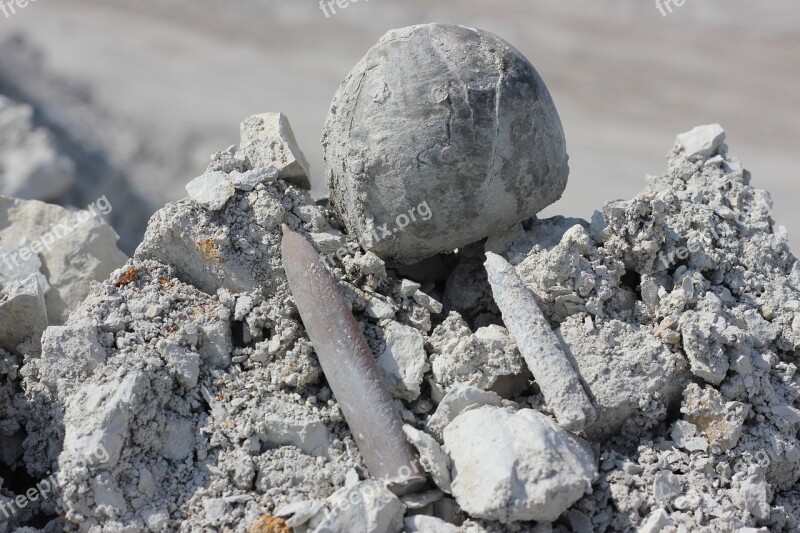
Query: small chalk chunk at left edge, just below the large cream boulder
(23, 315)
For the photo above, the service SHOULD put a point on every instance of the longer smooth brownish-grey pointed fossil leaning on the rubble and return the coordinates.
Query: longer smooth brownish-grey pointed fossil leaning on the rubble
(349, 365)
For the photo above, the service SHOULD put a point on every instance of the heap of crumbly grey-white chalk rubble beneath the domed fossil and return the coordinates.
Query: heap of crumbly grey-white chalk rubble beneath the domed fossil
(674, 316)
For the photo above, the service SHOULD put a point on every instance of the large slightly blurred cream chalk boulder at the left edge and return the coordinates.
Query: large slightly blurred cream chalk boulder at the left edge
(75, 249)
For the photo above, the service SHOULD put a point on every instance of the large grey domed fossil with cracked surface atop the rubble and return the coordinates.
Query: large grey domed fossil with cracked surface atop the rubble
(439, 137)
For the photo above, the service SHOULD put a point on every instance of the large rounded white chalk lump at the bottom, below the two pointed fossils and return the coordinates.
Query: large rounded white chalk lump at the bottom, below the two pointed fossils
(516, 466)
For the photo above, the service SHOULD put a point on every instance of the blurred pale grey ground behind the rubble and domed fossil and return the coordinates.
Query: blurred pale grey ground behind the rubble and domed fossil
(140, 93)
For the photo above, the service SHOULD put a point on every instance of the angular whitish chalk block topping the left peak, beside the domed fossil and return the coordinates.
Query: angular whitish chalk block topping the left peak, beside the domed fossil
(268, 140)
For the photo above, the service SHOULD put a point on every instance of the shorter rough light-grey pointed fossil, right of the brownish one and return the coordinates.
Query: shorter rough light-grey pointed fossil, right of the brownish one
(539, 345)
